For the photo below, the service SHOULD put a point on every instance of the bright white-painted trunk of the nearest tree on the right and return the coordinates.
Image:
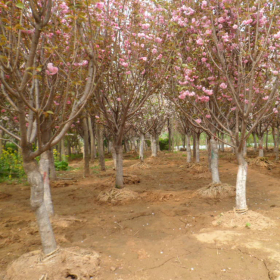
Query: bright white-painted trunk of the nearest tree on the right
(241, 204)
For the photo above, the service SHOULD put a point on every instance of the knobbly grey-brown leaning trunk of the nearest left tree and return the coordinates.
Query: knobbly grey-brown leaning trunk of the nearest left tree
(37, 203)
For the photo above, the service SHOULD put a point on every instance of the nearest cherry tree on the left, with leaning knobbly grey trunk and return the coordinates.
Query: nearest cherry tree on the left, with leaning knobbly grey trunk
(42, 89)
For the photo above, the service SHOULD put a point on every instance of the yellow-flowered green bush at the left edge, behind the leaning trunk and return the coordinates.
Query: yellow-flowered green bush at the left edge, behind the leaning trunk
(11, 163)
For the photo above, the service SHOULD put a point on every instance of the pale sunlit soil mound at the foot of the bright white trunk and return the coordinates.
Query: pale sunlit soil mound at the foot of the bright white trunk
(251, 220)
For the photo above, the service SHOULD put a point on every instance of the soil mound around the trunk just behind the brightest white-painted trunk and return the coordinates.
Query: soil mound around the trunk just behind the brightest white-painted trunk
(215, 190)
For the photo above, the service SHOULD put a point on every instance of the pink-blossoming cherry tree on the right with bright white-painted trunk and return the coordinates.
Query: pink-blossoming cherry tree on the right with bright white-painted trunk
(232, 46)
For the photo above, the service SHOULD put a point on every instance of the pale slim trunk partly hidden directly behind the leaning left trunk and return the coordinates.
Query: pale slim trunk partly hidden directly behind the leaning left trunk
(44, 166)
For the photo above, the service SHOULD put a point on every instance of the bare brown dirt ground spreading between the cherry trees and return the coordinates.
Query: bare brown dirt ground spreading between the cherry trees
(159, 229)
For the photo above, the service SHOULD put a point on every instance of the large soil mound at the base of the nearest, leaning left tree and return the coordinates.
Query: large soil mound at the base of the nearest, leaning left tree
(66, 263)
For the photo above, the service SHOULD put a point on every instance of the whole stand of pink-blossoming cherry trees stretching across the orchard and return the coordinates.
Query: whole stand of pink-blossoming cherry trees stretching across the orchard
(131, 65)
